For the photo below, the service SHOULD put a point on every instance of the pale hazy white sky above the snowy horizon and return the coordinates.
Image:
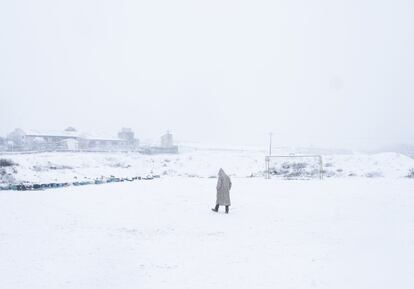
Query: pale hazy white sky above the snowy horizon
(313, 72)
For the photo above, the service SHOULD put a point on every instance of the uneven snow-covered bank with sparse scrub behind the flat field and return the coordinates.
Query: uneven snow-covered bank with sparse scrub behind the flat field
(192, 162)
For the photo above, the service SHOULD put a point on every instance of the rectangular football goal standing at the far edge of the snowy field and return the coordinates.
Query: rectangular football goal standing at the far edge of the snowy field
(294, 166)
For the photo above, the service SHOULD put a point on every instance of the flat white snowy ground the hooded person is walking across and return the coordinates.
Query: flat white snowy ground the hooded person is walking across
(338, 233)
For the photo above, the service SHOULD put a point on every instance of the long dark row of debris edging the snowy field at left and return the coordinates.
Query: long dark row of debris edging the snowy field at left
(98, 181)
